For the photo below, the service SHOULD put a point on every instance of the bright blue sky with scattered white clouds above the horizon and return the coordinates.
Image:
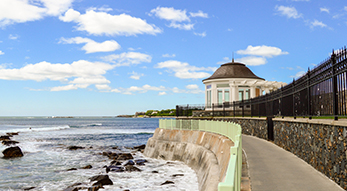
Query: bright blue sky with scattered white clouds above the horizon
(113, 57)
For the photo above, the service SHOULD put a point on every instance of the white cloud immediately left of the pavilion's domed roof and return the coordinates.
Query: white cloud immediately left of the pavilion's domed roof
(184, 70)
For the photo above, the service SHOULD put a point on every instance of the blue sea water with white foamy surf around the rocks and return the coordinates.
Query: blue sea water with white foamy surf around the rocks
(46, 160)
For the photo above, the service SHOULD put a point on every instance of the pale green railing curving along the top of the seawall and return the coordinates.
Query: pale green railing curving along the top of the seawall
(231, 130)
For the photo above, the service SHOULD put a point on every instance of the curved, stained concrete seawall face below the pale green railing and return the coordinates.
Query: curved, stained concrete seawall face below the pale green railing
(206, 153)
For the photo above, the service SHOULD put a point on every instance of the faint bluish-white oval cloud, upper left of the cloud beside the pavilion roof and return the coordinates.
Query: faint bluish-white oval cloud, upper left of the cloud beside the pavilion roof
(127, 58)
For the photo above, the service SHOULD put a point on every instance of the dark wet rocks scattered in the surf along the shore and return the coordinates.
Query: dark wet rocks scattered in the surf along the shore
(116, 161)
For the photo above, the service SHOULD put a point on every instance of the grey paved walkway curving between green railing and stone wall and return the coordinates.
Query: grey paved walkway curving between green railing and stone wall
(272, 168)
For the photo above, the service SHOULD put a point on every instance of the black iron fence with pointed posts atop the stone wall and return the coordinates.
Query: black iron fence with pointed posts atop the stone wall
(322, 91)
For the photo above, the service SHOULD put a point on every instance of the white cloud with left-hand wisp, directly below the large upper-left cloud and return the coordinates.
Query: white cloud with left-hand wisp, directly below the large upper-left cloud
(92, 46)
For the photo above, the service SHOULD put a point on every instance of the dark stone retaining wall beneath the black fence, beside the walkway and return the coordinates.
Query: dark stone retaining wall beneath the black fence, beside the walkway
(321, 143)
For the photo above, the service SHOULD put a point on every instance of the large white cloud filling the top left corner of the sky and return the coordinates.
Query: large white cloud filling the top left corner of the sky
(20, 11)
